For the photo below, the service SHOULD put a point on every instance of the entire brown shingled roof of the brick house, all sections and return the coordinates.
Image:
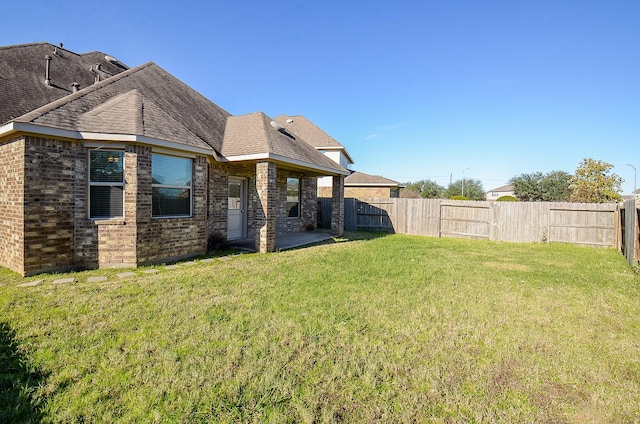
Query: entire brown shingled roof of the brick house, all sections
(145, 104)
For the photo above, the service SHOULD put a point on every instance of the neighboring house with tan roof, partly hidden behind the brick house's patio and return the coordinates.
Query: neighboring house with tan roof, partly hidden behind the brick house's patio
(312, 134)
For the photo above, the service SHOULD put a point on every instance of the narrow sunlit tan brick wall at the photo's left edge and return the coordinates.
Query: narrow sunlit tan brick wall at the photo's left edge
(12, 204)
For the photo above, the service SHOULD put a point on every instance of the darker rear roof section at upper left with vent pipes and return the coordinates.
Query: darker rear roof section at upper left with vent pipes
(23, 69)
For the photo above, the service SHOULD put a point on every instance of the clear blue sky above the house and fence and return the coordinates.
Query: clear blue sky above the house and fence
(414, 89)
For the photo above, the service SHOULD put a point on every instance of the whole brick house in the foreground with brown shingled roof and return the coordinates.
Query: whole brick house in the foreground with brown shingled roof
(106, 166)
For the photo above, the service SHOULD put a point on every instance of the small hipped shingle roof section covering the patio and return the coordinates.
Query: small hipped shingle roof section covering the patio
(253, 136)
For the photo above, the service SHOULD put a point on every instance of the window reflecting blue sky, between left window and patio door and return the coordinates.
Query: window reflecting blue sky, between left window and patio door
(171, 189)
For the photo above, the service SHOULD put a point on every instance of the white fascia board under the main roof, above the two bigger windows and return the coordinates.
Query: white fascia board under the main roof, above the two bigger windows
(87, 135)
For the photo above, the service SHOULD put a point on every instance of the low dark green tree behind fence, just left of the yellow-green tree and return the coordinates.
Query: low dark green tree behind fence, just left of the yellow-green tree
(536, 187)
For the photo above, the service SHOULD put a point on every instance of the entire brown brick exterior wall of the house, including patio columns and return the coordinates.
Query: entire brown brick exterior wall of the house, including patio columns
(44, 223)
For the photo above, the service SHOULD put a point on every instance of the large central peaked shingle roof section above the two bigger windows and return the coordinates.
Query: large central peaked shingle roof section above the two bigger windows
(144, 101)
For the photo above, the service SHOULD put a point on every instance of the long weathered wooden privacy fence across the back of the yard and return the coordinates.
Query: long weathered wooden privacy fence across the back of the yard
(592, 224)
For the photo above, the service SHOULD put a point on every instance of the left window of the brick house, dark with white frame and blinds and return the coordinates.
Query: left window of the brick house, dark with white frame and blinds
(106, 184)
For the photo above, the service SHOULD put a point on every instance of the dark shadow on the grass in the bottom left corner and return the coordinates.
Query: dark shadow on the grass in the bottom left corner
(18, 382)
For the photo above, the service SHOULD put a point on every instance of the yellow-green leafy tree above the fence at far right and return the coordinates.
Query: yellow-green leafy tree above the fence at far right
(593, 183)
